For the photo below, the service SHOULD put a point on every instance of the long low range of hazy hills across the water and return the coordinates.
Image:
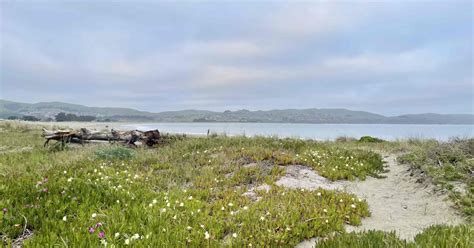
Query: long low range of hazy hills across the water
(46, 110)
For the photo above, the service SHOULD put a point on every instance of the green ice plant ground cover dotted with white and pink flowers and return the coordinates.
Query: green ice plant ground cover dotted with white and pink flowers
(190, 192)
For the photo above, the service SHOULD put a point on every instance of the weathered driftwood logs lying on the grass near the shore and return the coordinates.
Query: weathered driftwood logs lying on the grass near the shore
(84, 135)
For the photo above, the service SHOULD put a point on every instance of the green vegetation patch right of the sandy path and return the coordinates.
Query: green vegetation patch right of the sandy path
(450, 165)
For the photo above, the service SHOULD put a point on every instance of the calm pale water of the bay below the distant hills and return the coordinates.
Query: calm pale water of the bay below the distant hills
(314, 131)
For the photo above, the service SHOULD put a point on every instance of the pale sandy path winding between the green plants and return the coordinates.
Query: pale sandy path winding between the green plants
(397, 202)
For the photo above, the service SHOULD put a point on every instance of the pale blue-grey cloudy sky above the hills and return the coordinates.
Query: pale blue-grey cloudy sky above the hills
(387, 57)
